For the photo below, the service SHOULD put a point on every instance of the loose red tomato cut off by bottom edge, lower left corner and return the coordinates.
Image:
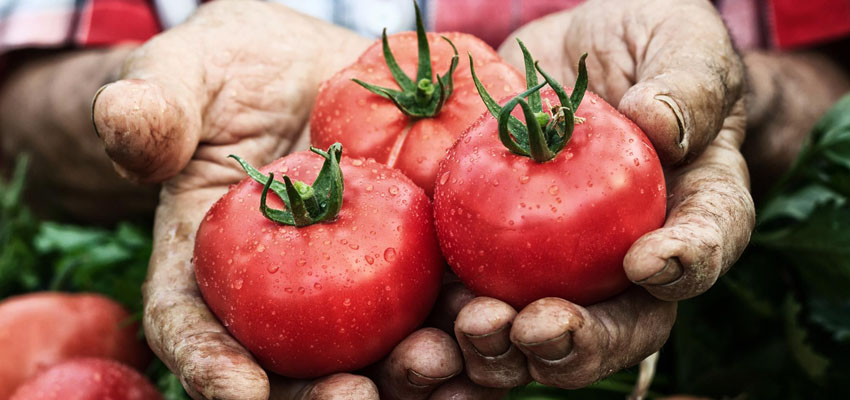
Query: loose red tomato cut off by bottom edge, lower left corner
(87, 379)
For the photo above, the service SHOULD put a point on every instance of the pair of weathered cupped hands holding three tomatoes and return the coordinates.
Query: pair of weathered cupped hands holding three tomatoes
(241, 78)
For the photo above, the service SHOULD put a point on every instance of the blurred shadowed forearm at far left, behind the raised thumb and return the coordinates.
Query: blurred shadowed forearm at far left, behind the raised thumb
(45, 106)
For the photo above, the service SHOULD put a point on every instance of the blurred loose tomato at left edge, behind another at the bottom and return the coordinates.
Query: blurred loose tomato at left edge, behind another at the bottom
(40, 329)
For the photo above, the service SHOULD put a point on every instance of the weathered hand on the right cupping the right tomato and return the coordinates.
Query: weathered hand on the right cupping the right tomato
(669, 66)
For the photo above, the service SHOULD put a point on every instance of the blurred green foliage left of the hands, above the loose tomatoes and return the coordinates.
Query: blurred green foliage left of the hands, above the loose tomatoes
(41, 255)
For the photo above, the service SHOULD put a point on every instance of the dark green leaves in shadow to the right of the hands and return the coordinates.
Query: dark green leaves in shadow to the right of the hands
(778, 325)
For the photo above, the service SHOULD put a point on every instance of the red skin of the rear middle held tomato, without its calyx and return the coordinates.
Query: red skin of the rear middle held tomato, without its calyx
(371, 126)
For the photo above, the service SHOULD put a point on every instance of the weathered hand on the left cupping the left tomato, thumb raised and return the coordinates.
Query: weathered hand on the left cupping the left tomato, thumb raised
(237, 78)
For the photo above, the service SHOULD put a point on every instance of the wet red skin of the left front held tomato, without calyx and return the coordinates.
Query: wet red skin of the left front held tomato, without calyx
(328, 297)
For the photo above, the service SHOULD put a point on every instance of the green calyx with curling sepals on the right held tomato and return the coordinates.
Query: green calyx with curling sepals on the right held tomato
(545, 133)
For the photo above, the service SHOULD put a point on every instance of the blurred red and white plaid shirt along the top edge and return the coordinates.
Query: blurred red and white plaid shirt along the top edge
(82, 23)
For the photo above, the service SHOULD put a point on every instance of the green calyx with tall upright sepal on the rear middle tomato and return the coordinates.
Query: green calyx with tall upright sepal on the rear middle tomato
(420, 98)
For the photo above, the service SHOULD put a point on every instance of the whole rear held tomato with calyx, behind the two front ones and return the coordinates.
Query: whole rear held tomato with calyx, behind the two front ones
(403, 122)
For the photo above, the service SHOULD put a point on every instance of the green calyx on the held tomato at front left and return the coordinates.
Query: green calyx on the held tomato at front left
(305, 204)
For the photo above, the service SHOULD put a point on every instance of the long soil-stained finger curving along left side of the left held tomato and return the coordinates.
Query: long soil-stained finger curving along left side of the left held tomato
(178, 326)
